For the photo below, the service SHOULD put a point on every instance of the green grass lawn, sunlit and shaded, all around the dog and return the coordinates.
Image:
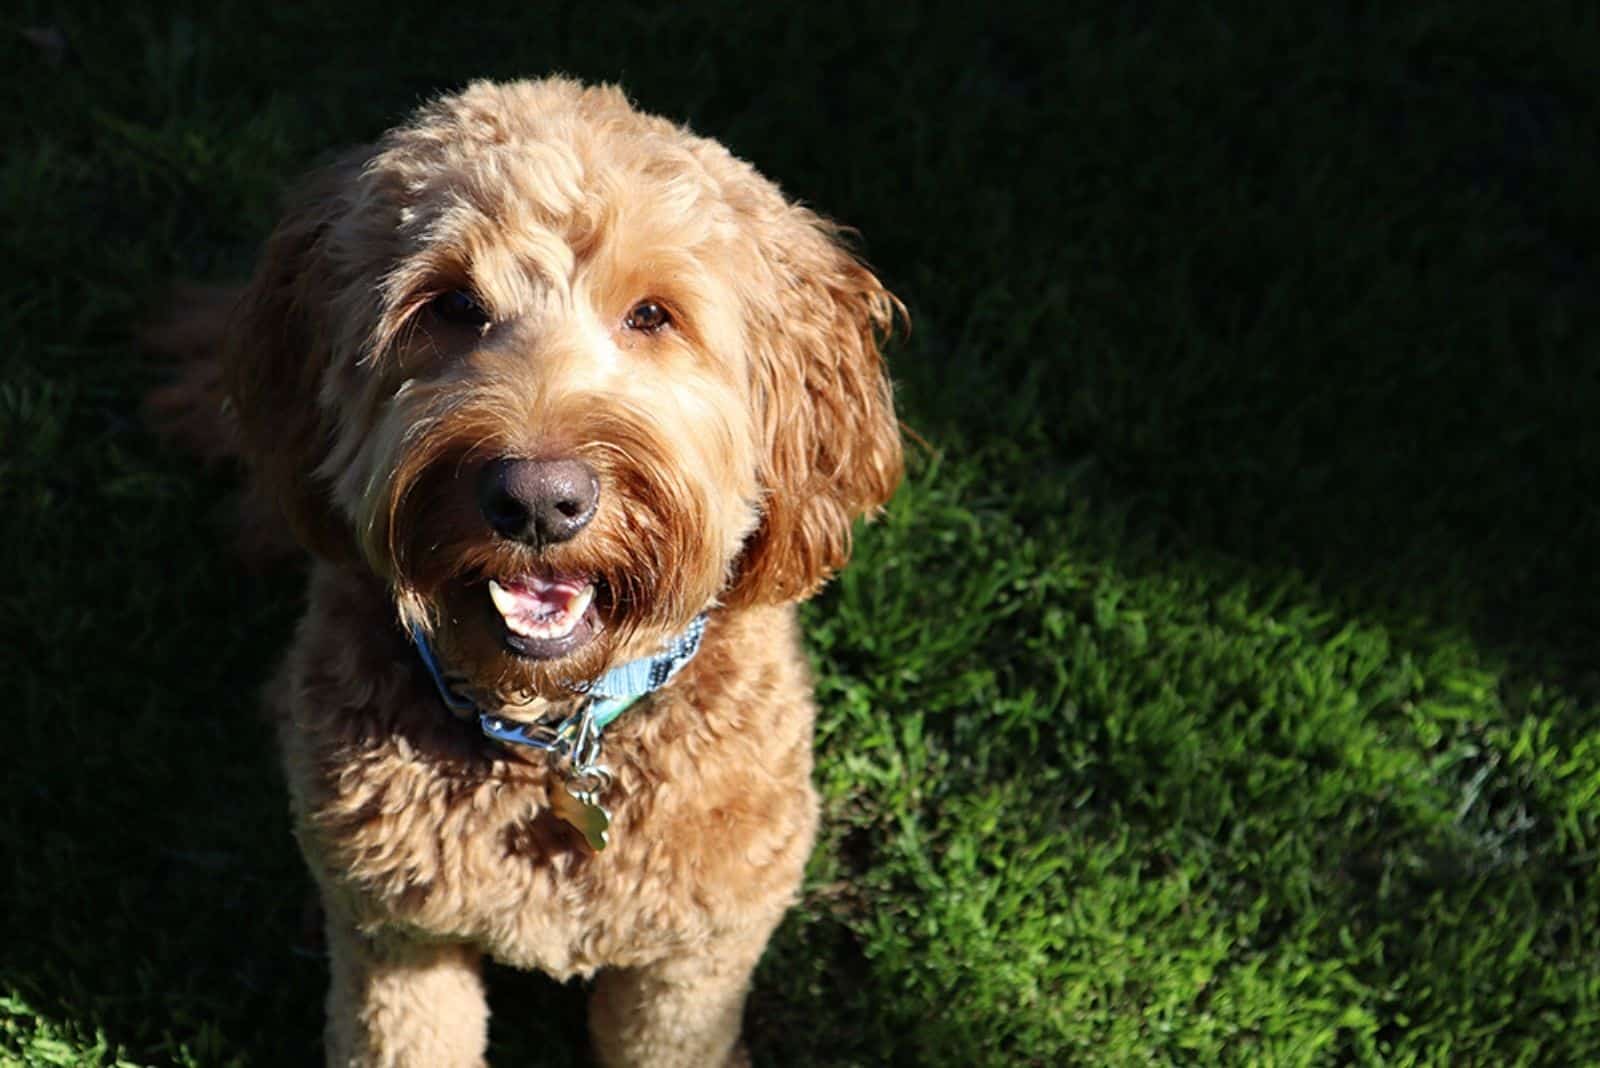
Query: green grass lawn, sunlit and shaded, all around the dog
(1222, 690)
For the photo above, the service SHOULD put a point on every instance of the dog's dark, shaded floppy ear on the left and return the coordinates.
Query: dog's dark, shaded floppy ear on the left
(276, 354)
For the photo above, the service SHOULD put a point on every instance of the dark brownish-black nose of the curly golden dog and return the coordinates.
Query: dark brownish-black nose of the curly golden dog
(540, 503)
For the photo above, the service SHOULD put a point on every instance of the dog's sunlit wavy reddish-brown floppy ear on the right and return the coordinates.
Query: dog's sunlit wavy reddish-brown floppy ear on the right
(825, 408)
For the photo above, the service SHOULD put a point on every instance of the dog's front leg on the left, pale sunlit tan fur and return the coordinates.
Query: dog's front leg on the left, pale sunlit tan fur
(398, 1003)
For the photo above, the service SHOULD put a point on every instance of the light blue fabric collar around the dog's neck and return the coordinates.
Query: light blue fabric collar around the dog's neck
(578, 736)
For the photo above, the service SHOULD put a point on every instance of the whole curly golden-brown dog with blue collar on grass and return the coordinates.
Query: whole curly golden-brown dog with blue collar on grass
(570, 408)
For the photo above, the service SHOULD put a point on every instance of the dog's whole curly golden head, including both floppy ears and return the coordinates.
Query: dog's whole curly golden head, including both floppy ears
(566, 377)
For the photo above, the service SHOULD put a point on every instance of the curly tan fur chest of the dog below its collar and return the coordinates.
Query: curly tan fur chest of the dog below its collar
(410, 826)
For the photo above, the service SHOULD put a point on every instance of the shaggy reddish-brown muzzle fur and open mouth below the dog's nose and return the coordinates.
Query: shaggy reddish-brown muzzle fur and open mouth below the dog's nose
(513, 623)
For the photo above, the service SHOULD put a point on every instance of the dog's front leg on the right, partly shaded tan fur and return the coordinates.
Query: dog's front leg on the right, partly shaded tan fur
(681, 1013)
